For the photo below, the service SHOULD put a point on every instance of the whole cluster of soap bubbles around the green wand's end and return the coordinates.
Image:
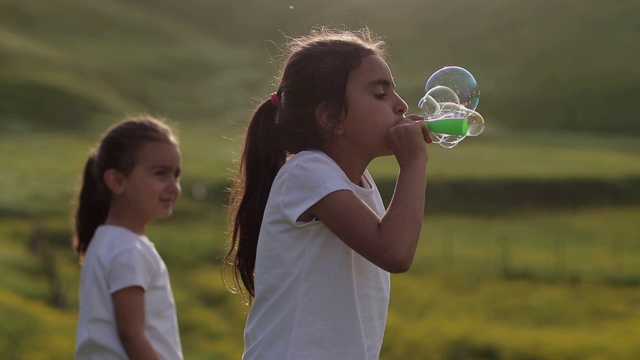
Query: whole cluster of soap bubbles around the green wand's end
(449, 106)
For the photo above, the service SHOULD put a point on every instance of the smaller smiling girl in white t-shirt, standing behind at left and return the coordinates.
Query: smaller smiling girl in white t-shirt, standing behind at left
(127, 310)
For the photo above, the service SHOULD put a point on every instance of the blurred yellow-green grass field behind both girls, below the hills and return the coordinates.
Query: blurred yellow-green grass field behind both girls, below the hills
(532, 283)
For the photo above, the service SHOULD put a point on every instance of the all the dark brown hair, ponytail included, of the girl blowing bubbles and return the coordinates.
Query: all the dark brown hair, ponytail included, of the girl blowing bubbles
(315, 72)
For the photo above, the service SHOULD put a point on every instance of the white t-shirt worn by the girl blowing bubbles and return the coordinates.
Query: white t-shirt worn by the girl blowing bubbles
(315, 297)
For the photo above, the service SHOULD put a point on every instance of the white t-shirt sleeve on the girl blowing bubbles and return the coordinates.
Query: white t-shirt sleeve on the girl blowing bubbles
(308, 181)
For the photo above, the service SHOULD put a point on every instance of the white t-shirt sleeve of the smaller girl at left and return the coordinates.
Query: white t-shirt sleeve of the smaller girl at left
(132, 267)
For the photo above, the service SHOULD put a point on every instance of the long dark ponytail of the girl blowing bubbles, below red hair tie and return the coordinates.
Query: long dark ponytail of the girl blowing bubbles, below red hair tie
(261, 159)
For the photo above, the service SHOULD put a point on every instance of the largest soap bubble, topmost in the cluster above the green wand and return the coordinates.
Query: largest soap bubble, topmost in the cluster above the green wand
(460, 81)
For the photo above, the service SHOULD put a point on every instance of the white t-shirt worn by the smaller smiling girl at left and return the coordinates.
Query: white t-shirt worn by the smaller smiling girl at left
(117, 258)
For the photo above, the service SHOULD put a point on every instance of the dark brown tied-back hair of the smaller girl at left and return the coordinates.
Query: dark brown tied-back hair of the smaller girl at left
(118, 149)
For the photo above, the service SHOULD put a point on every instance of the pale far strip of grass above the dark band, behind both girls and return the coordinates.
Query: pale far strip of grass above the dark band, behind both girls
(41, 171)
